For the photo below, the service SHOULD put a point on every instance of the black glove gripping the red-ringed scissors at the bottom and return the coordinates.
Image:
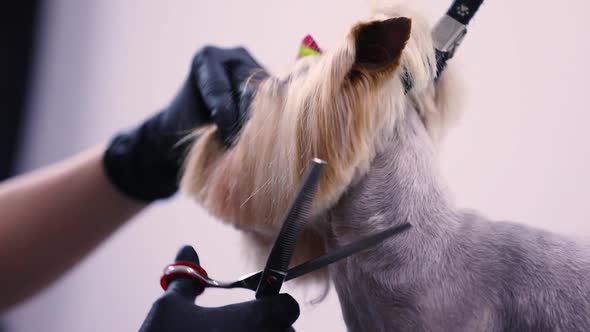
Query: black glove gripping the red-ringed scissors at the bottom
(175, 311)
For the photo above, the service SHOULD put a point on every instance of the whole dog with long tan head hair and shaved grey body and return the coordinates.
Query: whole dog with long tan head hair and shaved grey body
(454, 270)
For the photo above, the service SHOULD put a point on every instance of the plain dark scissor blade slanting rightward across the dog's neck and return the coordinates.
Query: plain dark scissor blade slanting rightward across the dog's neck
(344, 251)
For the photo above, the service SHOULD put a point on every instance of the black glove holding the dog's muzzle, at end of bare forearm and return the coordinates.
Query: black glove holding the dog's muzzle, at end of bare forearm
(144, 163)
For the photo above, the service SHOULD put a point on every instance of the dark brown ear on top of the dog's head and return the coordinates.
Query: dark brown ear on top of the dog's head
(379, 44)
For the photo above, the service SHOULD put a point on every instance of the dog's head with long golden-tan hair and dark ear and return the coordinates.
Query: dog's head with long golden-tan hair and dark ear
(337, 106)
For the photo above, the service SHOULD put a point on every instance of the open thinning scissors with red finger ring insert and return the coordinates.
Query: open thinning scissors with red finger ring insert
(276, 272)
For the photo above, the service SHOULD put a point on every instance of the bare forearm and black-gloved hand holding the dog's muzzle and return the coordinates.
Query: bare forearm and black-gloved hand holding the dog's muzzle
(52, 218)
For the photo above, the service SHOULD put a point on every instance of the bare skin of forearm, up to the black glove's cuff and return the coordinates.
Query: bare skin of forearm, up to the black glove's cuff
(50, 219)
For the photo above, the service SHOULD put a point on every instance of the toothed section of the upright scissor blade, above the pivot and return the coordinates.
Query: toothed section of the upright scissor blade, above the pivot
(298, 214)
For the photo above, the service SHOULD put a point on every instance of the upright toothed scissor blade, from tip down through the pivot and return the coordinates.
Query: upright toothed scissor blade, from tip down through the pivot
(277, 264)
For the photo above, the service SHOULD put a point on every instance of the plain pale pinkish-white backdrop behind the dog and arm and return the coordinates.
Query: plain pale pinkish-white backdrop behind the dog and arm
(520, 152)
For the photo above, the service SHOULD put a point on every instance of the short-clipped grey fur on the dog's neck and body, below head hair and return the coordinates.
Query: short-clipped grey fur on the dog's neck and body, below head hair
(454, 270)
